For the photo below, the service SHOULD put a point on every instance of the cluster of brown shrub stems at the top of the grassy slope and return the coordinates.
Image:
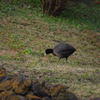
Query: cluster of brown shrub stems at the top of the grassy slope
(53, 7)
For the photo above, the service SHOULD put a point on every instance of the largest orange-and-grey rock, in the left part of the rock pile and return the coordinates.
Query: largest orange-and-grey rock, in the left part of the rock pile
(19, 85)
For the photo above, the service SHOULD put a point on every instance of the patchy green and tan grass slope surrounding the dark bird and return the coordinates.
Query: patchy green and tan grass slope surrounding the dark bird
(25, 33)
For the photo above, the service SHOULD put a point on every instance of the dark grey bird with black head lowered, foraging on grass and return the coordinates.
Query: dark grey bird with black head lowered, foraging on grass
(61, 50)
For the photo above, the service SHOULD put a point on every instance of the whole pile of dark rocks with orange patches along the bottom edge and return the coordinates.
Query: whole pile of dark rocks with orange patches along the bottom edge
(20, 88)
